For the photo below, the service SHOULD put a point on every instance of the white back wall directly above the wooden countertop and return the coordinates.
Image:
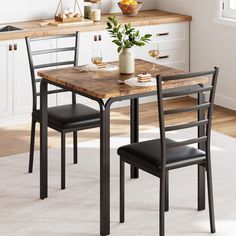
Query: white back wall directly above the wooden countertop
(20, 10)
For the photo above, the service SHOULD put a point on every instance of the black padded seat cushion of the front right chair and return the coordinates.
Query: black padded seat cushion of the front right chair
(148, 154)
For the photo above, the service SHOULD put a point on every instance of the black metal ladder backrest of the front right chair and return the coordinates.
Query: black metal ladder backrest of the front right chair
(203, 121)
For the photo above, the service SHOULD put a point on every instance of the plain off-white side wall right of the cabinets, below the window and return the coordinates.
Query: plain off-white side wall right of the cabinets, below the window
(211, 44)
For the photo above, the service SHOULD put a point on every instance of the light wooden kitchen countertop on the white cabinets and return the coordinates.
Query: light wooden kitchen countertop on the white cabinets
(144, 18)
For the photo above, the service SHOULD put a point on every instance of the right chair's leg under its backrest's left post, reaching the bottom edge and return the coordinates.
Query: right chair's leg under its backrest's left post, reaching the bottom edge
(162, 205)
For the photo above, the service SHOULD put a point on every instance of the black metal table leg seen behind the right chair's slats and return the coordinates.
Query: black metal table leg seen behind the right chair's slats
(201, 169)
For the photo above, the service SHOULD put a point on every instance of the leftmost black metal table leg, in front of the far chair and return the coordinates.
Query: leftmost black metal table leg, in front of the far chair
(43, 140)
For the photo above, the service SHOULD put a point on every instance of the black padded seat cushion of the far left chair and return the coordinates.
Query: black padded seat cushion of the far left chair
(71, 116)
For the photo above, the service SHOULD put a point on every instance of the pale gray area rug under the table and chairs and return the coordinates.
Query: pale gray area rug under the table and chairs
(75, 211)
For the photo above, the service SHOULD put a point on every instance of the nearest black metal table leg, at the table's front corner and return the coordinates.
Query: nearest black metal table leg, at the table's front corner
(105, 169)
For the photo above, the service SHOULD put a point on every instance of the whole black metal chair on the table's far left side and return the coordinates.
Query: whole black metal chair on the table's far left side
(62, 118)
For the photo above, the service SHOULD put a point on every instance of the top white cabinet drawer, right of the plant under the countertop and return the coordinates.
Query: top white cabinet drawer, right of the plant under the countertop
(168, 32)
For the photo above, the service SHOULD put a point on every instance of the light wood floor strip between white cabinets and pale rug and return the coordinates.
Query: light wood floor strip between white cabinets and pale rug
(15, 139)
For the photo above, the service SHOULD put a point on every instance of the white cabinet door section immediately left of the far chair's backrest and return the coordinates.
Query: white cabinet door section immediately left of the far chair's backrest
(22, 91)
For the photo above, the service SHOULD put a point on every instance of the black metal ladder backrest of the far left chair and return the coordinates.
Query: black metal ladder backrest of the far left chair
(50, 52)
